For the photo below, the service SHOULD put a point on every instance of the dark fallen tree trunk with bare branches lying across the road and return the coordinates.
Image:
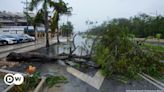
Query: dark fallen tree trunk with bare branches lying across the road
(65, 57)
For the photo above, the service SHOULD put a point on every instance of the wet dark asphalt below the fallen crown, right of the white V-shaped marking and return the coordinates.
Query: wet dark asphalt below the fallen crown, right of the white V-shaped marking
(111, 85)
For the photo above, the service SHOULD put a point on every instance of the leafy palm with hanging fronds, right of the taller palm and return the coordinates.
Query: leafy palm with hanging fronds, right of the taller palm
(60, 8)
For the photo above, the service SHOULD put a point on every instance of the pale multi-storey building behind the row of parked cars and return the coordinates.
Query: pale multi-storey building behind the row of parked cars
(15, 23)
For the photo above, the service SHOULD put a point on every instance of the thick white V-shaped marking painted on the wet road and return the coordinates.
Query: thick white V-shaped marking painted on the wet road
(95, 81)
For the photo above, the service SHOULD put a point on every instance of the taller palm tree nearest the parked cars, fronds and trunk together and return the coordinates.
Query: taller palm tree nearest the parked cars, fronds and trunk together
(45, 5)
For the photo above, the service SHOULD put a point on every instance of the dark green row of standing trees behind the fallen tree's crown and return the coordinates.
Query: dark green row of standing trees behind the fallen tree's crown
(141, 26)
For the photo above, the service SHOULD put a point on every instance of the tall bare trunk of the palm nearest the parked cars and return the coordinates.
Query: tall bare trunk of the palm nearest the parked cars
(46, 23)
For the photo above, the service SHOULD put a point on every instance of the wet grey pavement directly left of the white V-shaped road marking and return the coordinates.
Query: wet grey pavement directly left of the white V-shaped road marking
(74, 84)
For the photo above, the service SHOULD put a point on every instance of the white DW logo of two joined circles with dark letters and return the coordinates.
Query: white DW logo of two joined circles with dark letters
(11, 79)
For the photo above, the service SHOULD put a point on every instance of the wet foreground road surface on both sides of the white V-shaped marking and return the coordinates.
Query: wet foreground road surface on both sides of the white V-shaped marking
(77, 85)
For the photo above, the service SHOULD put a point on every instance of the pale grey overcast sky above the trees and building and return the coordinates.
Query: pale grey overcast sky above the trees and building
(97, 10)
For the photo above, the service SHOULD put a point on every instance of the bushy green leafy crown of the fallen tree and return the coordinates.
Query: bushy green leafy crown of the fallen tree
(118, 53)
